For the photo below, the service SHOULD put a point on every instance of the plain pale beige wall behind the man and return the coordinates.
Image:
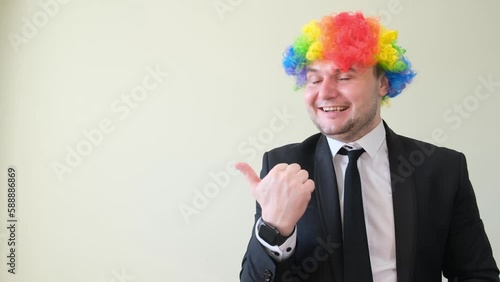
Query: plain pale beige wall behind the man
(122, 119)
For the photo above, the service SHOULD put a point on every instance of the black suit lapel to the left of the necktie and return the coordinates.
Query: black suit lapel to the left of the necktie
(327, 198)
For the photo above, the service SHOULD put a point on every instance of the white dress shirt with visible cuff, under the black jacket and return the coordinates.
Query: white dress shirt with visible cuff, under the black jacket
(377, 203)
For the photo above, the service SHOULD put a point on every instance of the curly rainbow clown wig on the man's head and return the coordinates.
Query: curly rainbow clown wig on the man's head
(349, 39)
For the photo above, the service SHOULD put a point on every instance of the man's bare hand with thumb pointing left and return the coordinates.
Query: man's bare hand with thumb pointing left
(283, 194)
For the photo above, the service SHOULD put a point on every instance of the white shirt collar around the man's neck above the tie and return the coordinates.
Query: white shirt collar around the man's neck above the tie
(371, 142)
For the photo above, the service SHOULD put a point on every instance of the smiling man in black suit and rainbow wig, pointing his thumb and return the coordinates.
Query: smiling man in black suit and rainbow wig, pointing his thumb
(357, 202)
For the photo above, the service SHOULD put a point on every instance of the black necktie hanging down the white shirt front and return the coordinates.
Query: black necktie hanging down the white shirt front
(356, 254)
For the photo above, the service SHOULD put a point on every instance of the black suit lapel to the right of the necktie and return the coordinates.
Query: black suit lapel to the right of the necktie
(403, 198)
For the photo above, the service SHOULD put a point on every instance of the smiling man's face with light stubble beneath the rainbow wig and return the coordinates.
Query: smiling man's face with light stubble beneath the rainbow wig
(344, 105)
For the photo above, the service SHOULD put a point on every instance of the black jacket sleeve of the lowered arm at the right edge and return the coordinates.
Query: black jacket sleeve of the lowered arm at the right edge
(468, 254)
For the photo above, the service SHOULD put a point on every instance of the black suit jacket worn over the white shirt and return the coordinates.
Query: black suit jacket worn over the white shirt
(437, 222)
